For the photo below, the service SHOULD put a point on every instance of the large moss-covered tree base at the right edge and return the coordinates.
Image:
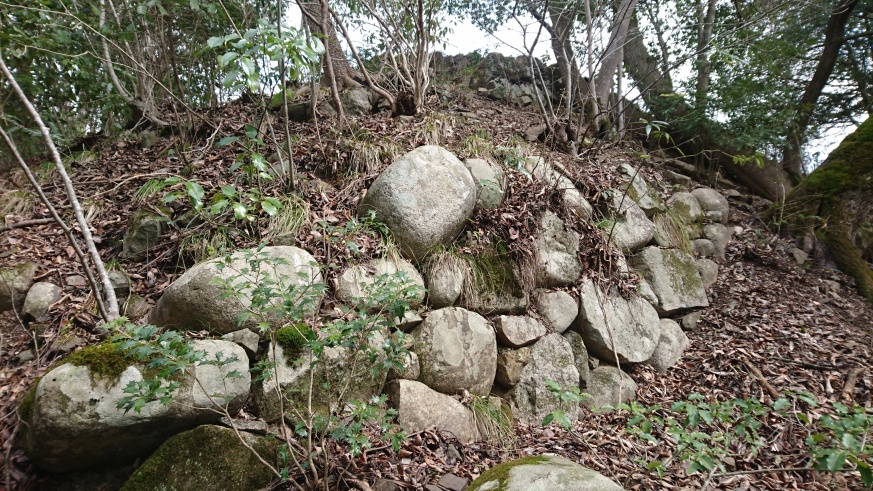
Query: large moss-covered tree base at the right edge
(833, 205)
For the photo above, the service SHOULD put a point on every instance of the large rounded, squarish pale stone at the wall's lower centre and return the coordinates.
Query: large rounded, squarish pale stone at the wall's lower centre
(457, 349)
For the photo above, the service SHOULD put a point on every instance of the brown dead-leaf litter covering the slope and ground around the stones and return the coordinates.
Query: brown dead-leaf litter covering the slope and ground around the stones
(791, 324)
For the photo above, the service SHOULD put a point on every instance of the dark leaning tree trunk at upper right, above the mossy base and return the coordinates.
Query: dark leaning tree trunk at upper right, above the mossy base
(792, 152)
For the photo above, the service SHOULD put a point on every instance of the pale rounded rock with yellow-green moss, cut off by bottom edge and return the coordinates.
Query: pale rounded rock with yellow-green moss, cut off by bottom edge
(542, 473)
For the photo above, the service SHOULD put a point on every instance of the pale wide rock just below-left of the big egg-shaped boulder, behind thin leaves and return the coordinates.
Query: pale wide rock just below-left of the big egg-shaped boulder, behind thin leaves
(355, 284)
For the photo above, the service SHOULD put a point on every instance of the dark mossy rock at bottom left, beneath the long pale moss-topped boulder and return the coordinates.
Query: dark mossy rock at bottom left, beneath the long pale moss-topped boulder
(207, 457)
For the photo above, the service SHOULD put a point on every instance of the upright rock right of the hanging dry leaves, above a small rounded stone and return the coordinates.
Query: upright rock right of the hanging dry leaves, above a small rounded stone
(555, 252)
